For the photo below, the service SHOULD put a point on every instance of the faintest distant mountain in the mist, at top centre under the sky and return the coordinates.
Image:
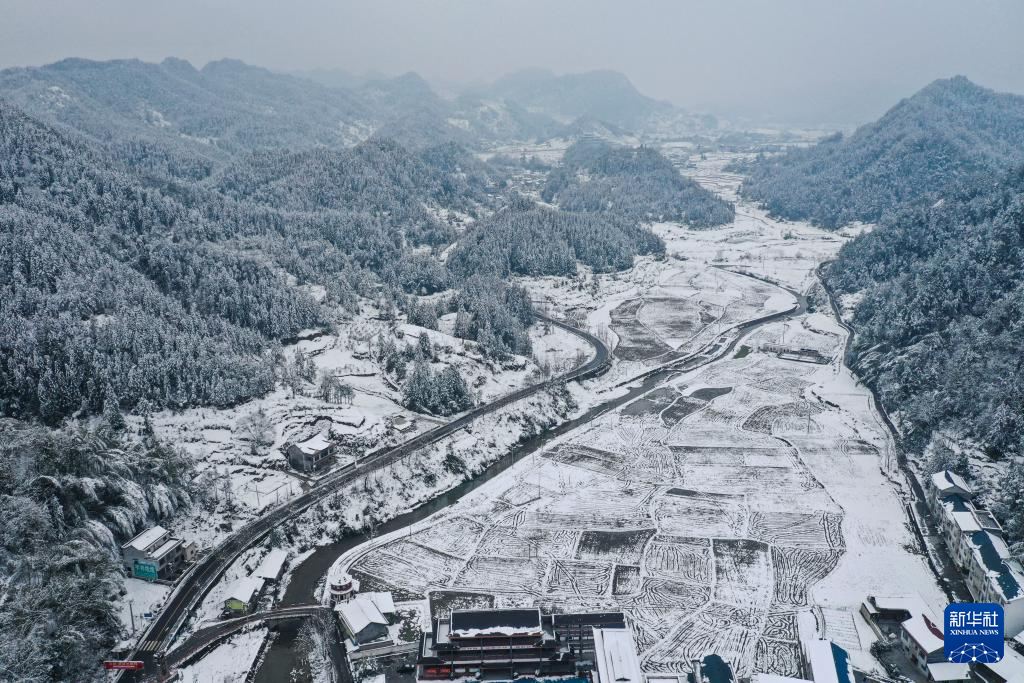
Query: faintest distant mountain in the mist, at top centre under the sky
(606, 96)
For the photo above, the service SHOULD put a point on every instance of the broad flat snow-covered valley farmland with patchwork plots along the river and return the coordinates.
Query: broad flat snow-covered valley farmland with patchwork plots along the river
(735, 509)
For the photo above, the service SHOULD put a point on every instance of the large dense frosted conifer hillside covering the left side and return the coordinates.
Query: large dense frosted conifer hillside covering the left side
(174, 296)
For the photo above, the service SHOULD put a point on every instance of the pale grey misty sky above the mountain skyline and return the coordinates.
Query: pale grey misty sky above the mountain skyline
(799, 61)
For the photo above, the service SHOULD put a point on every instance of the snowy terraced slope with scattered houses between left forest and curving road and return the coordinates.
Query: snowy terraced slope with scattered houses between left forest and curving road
(245, 482)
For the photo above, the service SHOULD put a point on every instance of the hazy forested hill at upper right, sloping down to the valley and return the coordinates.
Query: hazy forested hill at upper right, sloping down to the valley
(927, 146)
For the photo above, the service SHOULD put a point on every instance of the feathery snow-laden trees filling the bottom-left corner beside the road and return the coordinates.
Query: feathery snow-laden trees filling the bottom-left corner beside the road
(65, 496)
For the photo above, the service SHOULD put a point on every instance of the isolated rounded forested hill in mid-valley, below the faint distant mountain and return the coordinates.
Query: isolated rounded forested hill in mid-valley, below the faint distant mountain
(638, 184)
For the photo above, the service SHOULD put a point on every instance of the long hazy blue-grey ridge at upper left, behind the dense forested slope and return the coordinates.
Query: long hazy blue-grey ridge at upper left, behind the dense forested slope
(227, 107)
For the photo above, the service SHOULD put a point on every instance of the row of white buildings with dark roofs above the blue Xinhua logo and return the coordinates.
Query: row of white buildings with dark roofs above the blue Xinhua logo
(978, 548)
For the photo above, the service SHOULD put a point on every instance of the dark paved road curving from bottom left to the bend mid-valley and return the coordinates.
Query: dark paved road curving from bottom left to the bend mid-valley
(201, 578)
